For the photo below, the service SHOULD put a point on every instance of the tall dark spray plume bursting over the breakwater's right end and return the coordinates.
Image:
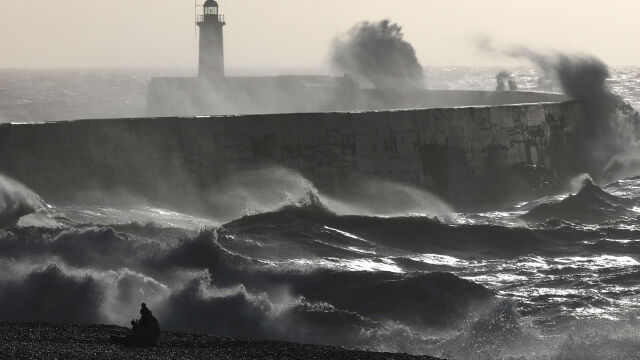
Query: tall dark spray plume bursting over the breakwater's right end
(611, 126)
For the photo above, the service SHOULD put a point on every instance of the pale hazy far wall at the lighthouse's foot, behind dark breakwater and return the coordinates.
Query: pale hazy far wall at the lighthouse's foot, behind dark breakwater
(295, 94)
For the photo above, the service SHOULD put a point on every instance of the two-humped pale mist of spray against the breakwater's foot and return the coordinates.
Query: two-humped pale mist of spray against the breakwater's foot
(271, 188)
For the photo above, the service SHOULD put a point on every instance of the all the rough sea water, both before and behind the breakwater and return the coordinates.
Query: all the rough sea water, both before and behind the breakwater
(550, 278)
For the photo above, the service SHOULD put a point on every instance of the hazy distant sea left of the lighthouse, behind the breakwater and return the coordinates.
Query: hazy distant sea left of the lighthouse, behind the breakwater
(69, 94)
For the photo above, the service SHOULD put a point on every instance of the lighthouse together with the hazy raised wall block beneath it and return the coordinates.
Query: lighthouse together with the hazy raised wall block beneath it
(212, 92)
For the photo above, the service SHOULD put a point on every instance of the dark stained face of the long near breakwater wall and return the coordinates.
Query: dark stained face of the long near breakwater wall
(466, 155)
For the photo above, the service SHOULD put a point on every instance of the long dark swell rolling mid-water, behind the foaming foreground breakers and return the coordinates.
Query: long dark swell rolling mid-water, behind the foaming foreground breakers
(407, 235)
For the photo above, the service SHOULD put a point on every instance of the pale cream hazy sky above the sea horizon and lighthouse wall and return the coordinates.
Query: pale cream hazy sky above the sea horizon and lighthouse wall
(286, 33)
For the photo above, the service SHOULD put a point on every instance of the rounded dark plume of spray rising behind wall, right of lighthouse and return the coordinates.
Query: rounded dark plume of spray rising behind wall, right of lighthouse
(377, 53)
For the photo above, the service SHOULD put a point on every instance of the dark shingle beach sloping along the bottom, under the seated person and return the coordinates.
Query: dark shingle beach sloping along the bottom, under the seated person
(23, 340)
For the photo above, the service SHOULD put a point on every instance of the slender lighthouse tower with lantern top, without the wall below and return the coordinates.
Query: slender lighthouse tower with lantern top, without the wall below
(211, 62)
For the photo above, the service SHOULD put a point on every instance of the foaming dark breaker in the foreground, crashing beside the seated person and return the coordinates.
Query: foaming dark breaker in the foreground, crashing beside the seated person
(197, 285)
